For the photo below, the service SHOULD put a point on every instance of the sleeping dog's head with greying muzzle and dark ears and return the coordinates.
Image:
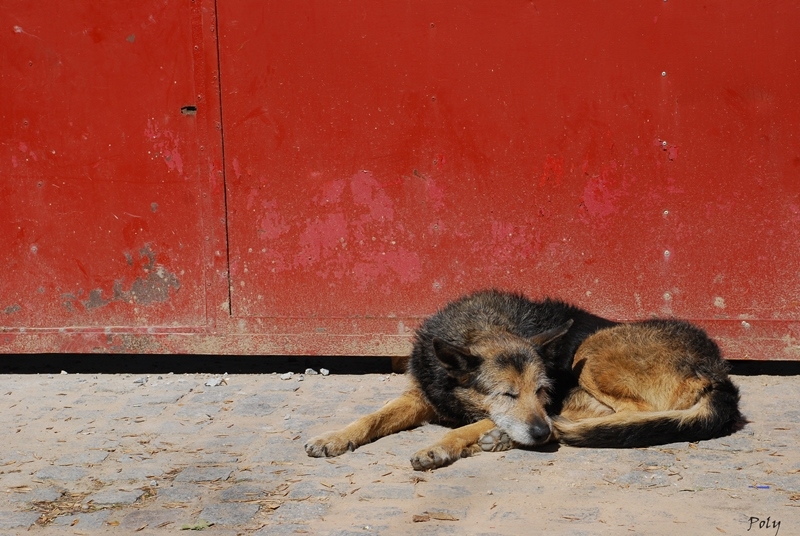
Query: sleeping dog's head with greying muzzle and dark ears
(504, 377)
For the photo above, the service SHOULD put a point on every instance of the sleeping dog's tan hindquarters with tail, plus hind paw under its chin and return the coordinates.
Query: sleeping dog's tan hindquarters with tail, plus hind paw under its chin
(641, 384)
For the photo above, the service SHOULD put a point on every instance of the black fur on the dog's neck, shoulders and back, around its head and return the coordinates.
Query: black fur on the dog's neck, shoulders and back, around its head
(461, 320)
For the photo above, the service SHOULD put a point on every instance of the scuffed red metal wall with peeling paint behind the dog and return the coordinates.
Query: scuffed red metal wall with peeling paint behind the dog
(352, 166)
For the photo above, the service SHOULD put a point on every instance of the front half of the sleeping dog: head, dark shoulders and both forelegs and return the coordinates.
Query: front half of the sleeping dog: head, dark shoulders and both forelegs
(489, 359)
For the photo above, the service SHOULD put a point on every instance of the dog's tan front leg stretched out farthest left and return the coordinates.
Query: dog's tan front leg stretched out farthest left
(406, 411)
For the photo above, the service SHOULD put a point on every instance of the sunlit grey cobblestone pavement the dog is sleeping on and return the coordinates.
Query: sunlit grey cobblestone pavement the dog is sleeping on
(128, 454)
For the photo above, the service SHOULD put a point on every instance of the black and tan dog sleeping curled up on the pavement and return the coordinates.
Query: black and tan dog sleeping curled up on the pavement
(493, 365)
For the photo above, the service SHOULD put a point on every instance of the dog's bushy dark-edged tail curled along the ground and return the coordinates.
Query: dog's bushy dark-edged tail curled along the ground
(716, 414)
